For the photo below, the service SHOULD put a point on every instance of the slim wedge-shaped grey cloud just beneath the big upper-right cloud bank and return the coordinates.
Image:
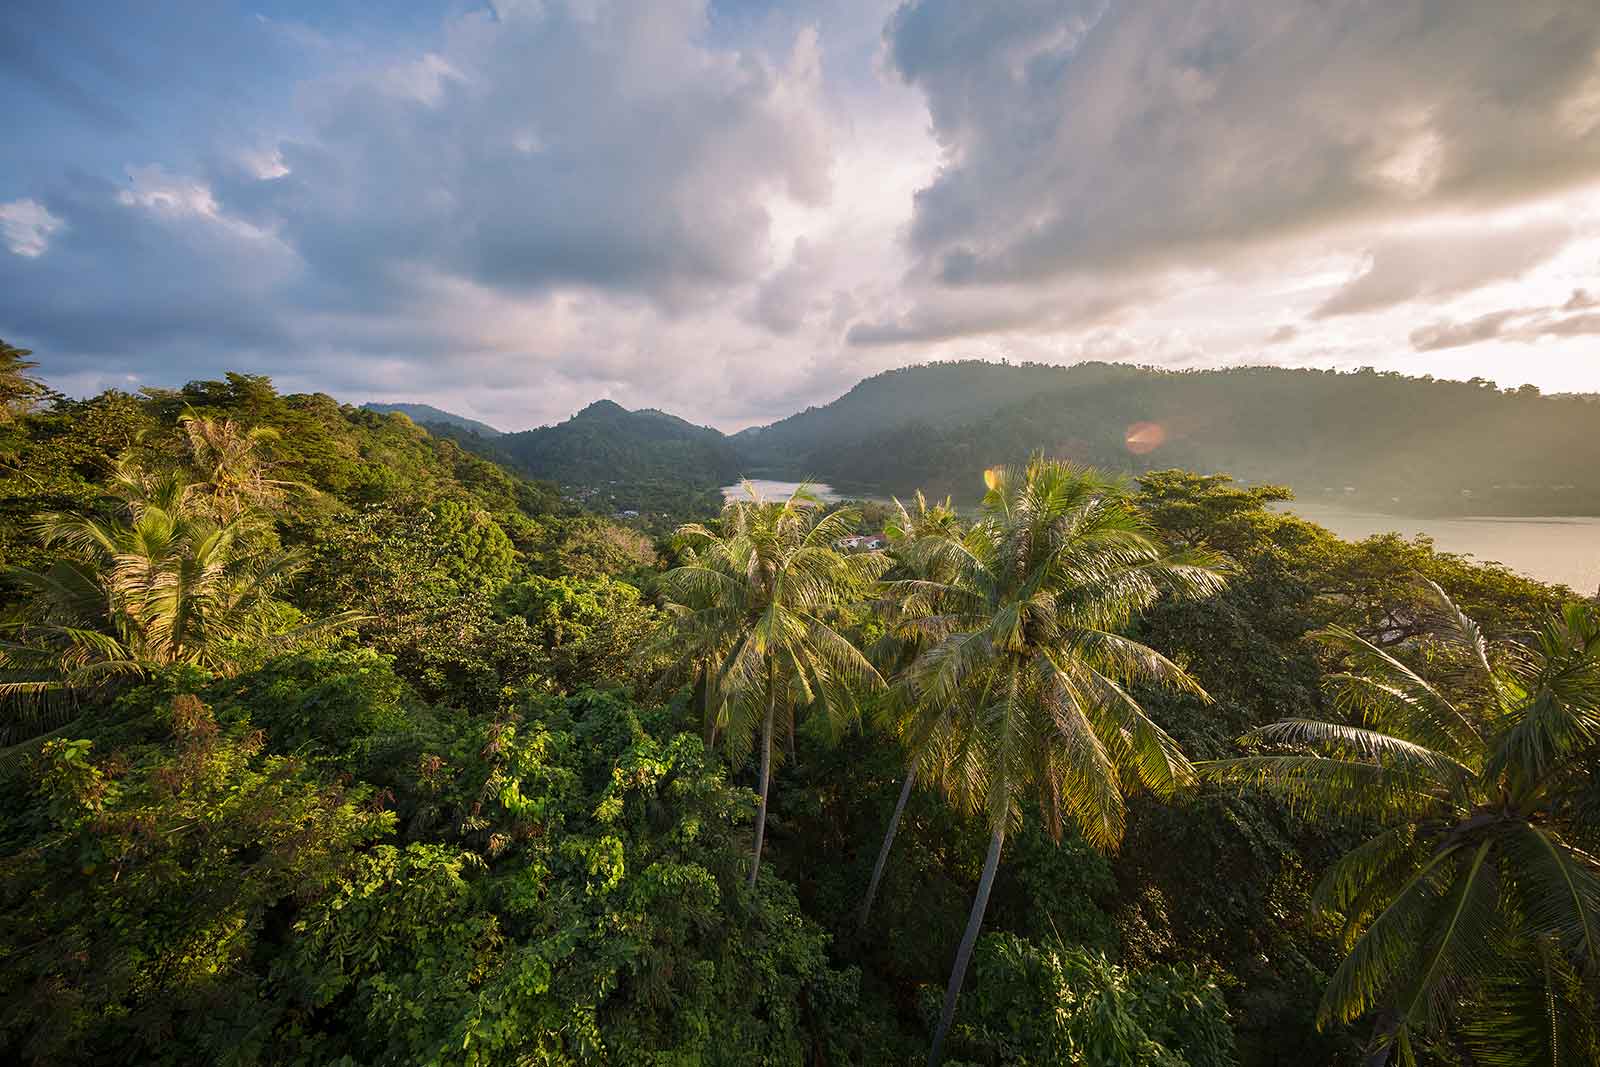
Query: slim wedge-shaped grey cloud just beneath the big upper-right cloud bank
(1433, 265)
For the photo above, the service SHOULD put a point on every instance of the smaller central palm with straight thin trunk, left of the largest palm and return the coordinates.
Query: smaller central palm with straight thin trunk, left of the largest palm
(762, 596)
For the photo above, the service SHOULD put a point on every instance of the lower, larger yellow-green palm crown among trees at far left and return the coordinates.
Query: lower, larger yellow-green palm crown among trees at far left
(161, 581)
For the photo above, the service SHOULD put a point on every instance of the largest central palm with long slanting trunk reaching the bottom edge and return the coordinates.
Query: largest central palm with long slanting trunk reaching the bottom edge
(1022, 690)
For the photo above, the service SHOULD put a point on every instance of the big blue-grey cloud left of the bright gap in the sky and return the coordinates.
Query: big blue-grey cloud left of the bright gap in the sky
(558, 146)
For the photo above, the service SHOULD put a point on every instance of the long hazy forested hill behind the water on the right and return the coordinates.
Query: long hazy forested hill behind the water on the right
(1383, 442)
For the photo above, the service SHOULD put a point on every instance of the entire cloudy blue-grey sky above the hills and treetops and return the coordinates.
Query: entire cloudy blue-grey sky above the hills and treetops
(734, 210)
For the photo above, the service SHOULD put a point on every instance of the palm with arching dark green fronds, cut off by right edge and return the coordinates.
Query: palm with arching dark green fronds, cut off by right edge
(1481, 884)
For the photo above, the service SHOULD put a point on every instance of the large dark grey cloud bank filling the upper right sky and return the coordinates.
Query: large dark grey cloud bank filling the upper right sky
(1106, 137)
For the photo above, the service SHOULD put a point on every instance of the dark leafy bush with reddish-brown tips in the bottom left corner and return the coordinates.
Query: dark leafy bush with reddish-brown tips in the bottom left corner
(153, 884)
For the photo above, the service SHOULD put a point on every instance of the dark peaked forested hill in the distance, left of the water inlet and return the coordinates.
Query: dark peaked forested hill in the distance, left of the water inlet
(606, 442)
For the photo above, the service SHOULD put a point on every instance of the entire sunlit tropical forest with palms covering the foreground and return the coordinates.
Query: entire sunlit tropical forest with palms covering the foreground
(330, 738)
